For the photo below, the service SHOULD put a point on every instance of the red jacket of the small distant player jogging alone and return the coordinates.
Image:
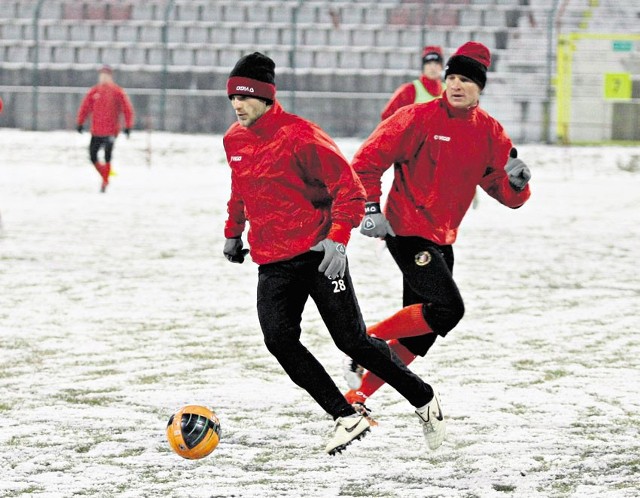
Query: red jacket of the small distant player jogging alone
(105, 103)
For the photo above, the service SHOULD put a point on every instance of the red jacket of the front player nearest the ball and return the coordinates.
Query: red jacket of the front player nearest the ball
(292, 184)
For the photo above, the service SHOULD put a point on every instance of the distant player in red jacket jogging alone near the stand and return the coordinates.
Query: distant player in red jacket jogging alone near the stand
(106, 102)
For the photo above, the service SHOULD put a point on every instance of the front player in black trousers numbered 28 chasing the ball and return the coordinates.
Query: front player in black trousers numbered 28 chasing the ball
(302, 199)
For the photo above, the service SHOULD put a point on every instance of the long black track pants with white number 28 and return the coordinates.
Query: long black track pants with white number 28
(283, 290)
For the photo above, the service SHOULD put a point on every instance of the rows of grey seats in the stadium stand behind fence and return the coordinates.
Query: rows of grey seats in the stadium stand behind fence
(346, 46)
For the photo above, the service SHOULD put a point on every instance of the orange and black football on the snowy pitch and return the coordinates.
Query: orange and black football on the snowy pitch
(193, 431)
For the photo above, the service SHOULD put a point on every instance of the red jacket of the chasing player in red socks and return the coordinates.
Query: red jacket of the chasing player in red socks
(440, 155)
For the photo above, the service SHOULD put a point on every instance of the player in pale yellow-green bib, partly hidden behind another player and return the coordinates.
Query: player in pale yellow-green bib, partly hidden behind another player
(424, 89)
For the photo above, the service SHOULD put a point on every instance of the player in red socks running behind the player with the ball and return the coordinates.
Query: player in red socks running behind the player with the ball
(440, 151)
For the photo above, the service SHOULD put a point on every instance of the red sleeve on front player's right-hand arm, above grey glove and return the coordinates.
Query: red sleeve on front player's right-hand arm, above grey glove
(325, 163)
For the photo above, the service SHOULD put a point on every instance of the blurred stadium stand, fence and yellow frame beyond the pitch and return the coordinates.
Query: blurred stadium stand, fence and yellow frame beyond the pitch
(563, 71)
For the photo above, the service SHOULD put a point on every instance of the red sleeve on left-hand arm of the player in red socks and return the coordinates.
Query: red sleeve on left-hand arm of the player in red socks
(394, 140)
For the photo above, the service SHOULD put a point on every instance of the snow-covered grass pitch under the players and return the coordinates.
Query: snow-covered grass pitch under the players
(117, 309)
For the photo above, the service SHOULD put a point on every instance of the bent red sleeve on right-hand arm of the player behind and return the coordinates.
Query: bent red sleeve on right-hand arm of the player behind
(495, 181)
